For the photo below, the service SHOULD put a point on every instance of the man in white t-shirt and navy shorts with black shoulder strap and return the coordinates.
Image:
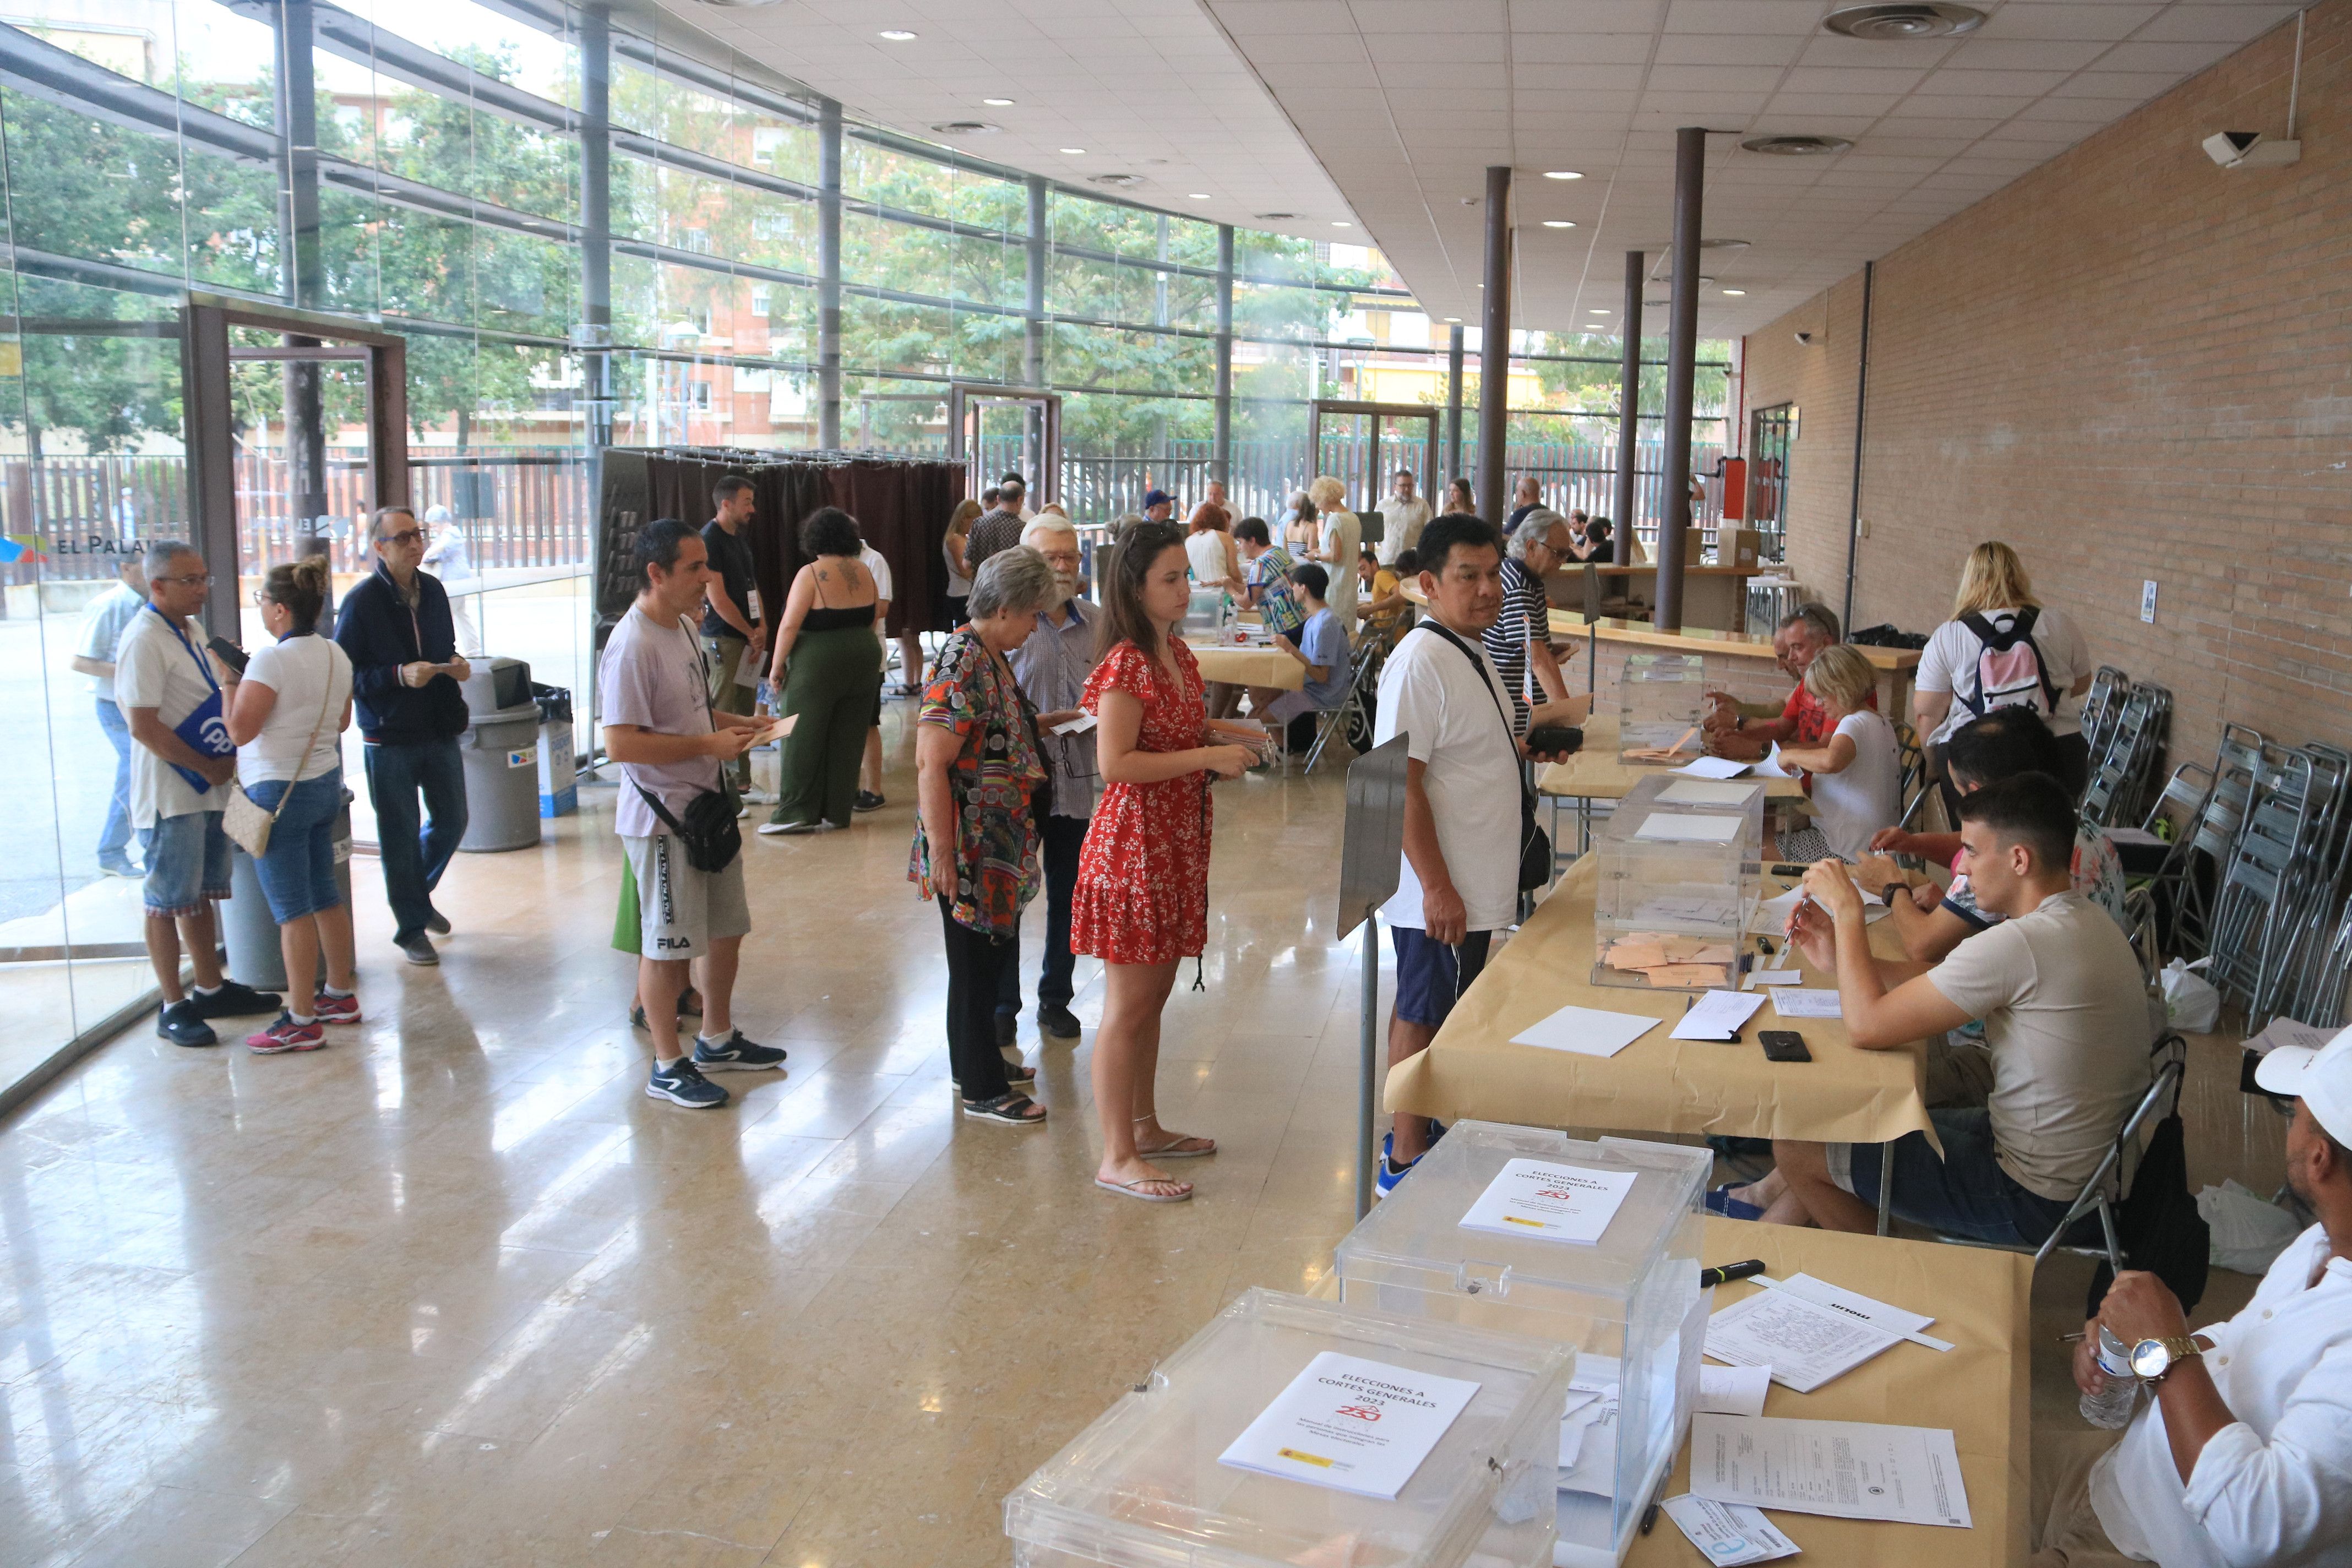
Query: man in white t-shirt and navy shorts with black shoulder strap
(1459, 883)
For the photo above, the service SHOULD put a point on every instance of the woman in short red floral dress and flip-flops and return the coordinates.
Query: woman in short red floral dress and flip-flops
(1142, 899)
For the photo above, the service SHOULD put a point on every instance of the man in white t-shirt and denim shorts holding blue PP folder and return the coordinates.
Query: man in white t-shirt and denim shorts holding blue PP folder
(173, 695)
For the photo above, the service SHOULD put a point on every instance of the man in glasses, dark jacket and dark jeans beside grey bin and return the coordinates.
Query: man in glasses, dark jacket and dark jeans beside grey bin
(406, 674)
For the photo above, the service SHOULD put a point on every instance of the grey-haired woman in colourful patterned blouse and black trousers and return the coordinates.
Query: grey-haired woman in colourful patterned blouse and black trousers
(977, 772)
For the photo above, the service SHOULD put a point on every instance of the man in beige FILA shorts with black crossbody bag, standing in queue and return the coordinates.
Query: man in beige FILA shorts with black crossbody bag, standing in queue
(679, 817)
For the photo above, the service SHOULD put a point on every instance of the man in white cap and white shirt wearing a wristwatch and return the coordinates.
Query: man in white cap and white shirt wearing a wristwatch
(2245, 1452)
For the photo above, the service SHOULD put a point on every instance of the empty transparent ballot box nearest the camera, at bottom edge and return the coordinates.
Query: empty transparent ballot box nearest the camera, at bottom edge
(1151, 1482)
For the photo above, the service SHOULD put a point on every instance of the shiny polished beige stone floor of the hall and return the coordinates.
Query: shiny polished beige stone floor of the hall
(457, 1294)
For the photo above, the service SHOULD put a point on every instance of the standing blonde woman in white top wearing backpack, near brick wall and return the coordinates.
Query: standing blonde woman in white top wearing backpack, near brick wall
(2003, 650)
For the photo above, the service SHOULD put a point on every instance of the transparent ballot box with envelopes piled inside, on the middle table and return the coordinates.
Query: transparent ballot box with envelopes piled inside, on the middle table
(1678, 885)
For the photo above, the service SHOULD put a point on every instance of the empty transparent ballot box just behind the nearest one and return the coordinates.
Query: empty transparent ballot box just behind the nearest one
(1462, 1242)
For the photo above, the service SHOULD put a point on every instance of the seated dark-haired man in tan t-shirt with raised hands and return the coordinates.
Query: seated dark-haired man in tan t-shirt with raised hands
(2066, 1019)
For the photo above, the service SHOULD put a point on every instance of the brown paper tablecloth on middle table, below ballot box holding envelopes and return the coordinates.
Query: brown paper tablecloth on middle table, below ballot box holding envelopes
(1655, 1085)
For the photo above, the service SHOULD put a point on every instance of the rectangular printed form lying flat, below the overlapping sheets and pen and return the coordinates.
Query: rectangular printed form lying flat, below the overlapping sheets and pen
(1847, 1470)
